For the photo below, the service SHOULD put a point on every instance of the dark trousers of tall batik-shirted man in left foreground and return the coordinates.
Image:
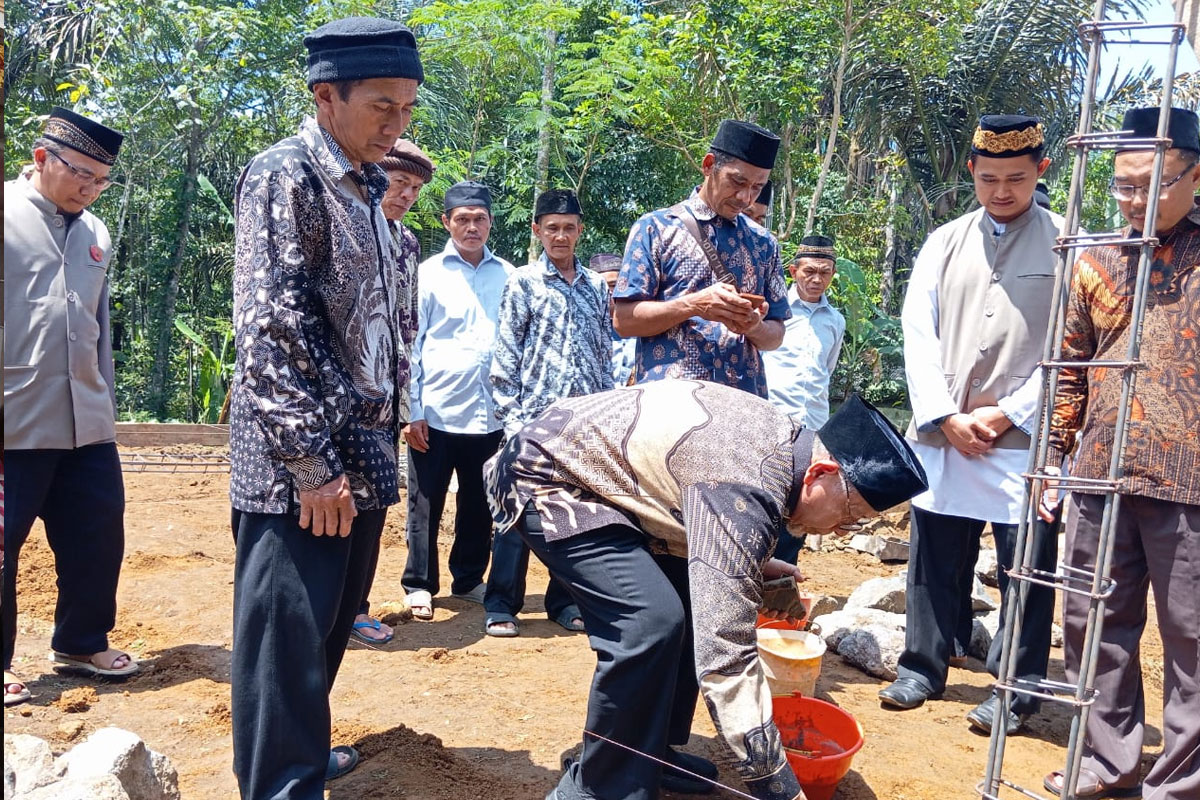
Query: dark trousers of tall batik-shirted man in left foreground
(295, 600)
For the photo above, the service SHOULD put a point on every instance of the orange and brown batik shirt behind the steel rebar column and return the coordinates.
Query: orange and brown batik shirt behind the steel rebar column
(1162, 458)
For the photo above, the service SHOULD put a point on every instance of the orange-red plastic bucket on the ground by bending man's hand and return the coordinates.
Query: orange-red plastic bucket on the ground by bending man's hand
(820, 742)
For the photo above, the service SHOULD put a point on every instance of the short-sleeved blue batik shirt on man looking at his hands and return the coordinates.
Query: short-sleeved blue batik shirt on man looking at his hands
(663, 262)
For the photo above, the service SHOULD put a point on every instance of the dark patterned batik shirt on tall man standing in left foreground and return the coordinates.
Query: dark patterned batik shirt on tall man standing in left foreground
(316, 327)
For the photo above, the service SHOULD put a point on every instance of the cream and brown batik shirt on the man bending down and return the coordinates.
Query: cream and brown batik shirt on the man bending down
(705, 472)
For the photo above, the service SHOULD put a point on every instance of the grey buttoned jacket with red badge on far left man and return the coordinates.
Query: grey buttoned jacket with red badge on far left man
(58, 357)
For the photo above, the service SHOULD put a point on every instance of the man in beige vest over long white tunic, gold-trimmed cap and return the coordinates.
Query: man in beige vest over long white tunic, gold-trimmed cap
(975, 323)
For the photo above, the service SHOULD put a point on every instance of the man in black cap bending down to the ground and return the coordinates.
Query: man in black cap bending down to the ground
(599, 486)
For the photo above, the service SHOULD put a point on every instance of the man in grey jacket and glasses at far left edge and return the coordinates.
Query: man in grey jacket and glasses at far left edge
(59, 396)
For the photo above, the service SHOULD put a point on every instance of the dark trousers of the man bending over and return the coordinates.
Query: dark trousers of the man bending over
(638, 624)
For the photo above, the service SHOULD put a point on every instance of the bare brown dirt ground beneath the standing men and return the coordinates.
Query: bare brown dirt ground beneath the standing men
(445, 713)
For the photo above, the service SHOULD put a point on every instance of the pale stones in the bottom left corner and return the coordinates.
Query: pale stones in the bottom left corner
(111, 765)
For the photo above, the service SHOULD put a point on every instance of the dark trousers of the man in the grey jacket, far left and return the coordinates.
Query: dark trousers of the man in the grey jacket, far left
(81, 498)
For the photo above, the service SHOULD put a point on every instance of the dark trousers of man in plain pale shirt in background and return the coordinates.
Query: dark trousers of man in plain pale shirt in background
(429, 480)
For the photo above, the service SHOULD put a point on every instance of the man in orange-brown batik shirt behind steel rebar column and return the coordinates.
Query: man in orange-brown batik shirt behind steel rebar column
(1157, 528)
